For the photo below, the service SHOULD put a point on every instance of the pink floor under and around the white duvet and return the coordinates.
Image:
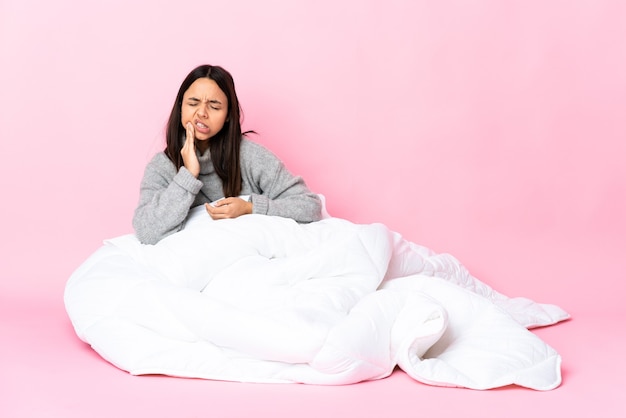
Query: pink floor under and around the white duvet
(46, 371)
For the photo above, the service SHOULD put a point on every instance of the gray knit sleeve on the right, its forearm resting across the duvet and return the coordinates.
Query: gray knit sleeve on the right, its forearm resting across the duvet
(279, 192)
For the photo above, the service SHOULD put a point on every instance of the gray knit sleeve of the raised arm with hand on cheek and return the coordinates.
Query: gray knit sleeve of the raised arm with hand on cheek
(164, 200)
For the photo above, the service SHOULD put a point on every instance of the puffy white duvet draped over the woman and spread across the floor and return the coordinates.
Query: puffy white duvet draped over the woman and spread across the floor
(264, 299)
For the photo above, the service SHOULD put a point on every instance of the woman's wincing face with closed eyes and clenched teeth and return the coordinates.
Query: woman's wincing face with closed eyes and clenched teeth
(204, 105)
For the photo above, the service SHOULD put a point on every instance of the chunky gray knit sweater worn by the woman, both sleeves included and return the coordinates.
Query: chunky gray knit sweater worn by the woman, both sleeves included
(166, 195)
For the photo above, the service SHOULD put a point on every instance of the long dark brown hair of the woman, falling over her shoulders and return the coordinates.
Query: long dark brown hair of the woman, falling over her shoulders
(225, 145)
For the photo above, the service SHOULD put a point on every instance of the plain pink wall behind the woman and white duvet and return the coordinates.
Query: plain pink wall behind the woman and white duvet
(493, 130)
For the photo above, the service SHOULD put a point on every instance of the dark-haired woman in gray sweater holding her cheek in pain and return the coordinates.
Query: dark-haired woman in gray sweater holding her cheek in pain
(207, 158)
